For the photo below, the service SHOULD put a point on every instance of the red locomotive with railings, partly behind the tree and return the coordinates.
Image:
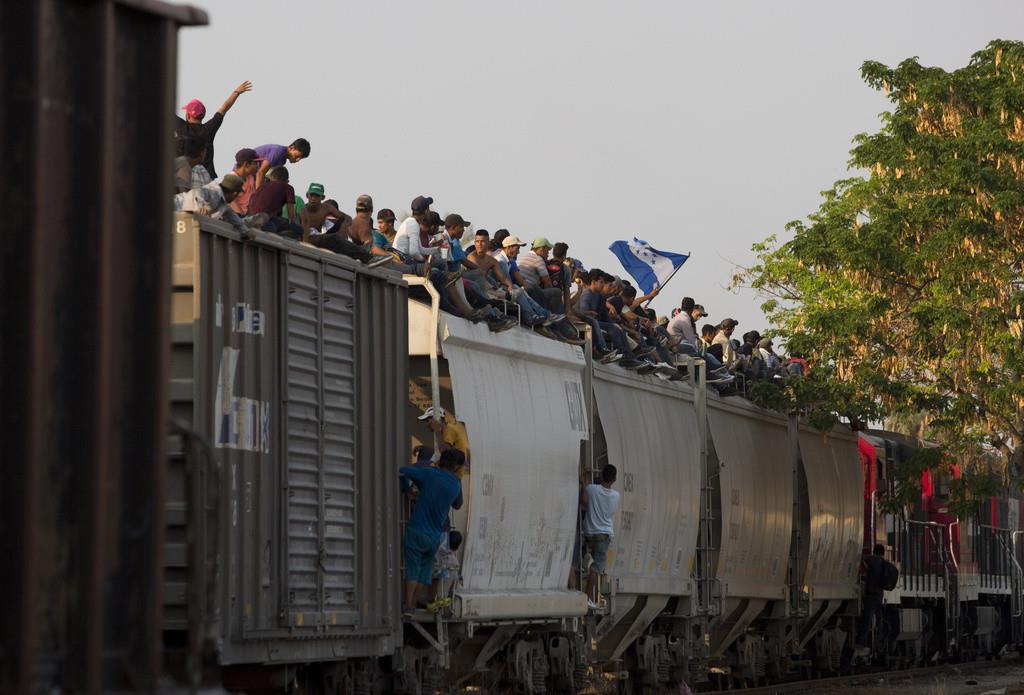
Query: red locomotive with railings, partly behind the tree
(960, 587)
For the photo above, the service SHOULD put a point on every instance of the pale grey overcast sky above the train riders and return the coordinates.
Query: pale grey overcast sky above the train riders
(700, 127)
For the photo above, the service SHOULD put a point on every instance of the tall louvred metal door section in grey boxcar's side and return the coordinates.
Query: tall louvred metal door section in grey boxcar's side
(321, 445)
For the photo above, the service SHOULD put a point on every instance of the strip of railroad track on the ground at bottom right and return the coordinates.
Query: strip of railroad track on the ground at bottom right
(872, 678)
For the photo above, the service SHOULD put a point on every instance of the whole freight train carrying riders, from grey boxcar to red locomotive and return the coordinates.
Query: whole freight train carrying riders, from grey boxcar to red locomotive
(297, 379)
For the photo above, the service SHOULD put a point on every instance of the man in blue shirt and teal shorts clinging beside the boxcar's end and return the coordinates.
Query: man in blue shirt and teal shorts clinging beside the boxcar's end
(441, 491)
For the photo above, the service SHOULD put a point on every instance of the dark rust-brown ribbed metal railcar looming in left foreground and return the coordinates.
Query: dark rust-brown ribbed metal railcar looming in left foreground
(84, 263)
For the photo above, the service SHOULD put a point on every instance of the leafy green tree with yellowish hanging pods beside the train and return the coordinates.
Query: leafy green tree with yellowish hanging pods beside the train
(905, 289)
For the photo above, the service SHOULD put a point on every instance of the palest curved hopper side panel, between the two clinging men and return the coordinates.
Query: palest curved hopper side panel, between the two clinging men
(522, 400)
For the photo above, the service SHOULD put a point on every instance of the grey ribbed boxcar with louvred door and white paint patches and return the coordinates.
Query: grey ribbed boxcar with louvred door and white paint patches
(289, 369)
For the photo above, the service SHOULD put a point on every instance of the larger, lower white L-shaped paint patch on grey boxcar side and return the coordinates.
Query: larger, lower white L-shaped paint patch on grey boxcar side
(240, 423)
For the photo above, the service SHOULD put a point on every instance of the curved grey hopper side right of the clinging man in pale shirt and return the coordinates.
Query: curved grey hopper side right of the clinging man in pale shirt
(659, 464)
